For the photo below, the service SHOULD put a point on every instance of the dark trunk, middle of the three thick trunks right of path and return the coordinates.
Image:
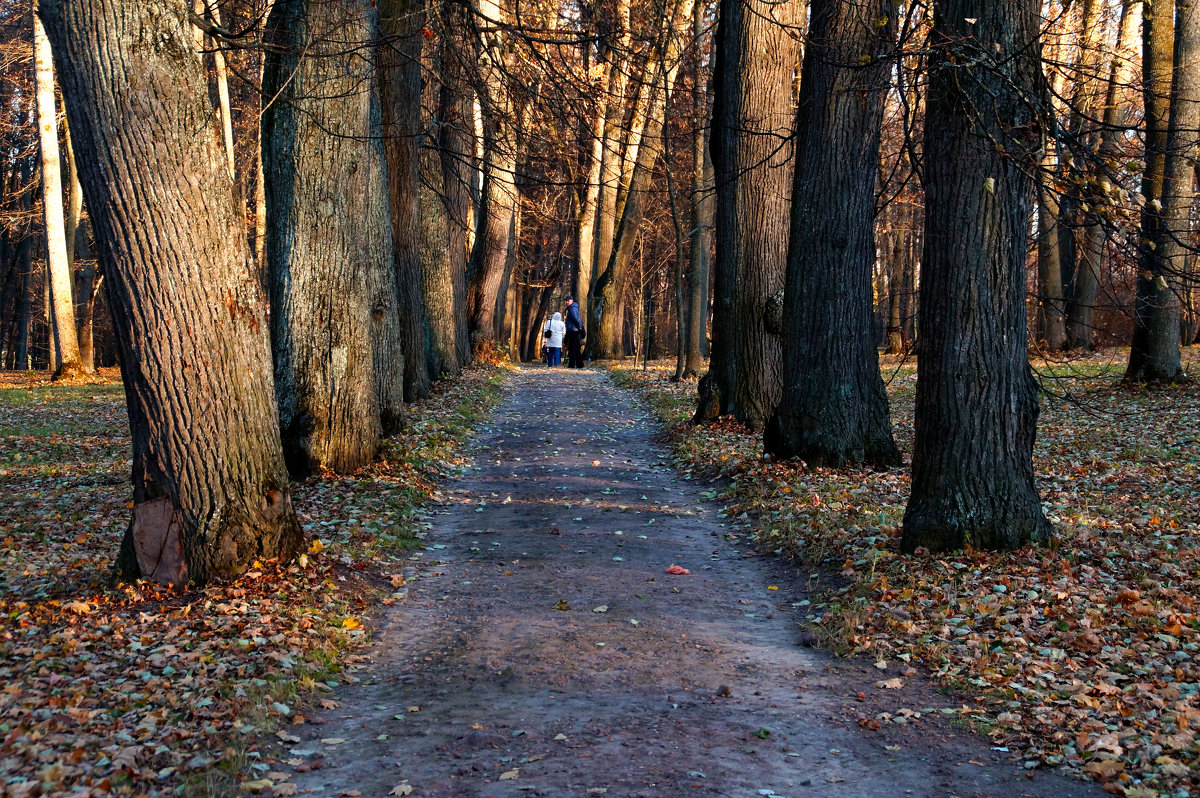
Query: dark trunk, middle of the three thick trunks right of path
(833, 410)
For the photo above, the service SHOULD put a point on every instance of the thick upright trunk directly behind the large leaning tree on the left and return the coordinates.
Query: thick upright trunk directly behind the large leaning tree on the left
(334, 326)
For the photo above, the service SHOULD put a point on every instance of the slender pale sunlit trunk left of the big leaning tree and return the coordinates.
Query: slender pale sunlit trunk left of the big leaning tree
(67, 362)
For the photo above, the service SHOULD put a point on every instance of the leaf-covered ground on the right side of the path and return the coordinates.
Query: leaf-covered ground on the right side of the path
(1079, 657)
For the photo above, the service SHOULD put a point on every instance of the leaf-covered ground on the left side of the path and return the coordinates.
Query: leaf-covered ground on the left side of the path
(136, 689)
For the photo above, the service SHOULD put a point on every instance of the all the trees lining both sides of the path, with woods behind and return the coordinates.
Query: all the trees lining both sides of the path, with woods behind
(287, 219)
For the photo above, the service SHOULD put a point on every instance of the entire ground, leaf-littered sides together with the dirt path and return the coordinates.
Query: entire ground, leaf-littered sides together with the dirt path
(526, 640)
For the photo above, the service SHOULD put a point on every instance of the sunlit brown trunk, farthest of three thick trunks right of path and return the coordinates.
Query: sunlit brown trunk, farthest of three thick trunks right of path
(758, 50)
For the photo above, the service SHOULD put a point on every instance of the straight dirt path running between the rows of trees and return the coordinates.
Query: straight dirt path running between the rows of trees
(543, 651)
